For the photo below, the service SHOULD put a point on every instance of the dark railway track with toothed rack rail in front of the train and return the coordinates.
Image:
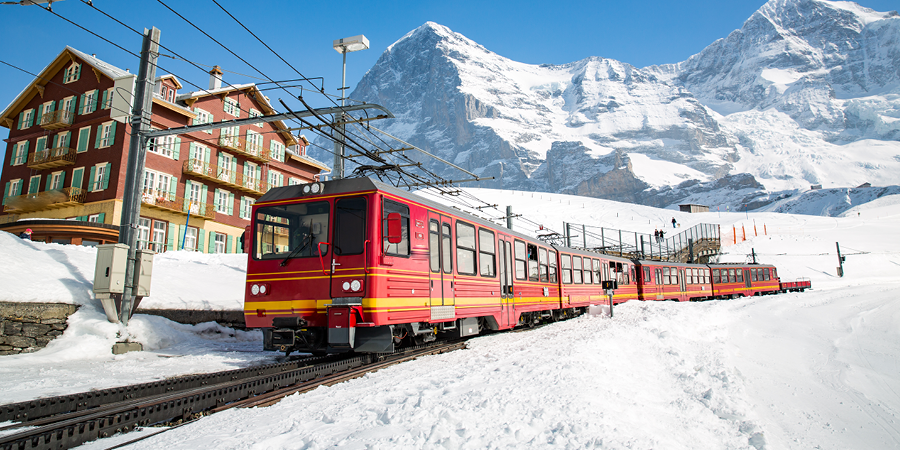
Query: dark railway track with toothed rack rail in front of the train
(69, 421)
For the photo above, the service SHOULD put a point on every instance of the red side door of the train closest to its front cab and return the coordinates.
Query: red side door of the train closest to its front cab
(440, 240)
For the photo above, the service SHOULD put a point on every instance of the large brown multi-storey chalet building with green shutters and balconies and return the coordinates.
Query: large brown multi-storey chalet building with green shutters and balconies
(64, 169)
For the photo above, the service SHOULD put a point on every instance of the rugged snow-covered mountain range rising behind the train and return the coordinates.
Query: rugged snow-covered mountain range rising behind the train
(806, 92)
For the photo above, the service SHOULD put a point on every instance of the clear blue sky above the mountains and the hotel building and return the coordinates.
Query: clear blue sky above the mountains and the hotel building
(637, 32)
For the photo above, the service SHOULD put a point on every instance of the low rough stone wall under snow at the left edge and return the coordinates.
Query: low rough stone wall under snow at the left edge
(27, 327)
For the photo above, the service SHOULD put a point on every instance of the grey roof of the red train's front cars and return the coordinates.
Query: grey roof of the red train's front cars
(351, 185)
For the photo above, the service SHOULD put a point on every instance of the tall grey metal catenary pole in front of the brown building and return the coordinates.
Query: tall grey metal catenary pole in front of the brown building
(137, 153)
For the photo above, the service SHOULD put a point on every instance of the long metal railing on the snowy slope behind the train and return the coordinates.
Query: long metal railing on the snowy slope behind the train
(697, 243)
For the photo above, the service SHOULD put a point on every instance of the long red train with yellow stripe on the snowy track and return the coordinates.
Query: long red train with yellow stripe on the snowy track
(358, 265)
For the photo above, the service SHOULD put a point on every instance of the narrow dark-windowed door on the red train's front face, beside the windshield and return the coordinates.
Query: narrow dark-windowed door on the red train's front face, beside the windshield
(349, 248)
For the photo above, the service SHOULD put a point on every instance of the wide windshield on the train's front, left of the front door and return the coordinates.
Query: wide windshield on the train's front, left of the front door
(291, 231)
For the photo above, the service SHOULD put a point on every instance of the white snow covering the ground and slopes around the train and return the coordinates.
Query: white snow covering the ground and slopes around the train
(793, 371)
